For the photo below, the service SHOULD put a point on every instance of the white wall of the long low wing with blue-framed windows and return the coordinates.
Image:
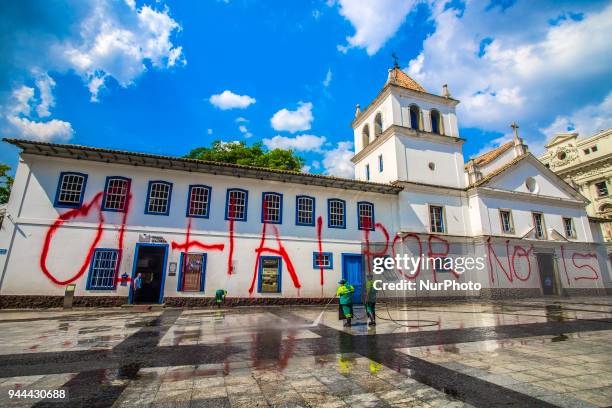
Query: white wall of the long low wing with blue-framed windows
(31, 207)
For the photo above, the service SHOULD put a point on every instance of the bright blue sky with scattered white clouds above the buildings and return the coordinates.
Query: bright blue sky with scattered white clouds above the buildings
(165, 77)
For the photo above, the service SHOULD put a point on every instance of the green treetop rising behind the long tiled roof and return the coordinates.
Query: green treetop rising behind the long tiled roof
(254, 155)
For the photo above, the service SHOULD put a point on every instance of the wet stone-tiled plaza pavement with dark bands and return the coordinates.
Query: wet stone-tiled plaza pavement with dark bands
(523, 353)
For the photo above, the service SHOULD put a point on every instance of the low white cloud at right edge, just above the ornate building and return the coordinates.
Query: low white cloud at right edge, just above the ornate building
(587, 120)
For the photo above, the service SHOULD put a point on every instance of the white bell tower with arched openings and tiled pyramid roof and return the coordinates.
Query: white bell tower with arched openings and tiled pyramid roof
(408, 134)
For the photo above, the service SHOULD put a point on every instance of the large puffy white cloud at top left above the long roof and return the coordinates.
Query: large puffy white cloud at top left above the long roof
(112, 45)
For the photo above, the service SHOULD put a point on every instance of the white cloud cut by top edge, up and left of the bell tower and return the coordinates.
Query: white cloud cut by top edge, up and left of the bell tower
(374, 21)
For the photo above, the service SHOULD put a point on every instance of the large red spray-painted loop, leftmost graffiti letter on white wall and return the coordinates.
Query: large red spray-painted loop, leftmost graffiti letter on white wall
(69, 215)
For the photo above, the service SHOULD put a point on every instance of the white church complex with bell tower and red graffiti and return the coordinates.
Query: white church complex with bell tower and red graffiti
(95, 218)
